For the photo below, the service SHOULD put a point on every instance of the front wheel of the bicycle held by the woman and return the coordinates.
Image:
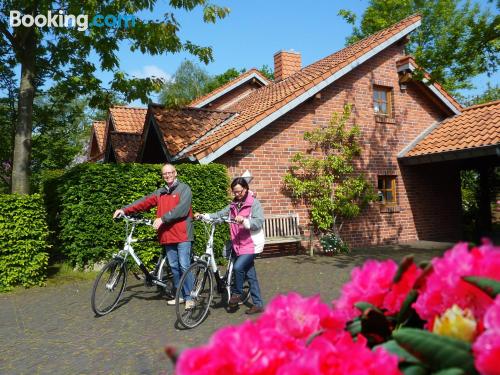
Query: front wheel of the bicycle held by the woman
(198, 281)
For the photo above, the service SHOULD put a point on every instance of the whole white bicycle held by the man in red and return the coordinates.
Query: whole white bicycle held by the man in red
(111, 281)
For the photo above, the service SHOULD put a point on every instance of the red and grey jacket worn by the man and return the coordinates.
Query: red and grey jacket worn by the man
(173, 207)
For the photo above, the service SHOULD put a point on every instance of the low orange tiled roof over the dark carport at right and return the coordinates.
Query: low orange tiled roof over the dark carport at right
(475, 127)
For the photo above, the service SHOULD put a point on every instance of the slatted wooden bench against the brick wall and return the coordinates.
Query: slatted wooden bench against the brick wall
(282, 229)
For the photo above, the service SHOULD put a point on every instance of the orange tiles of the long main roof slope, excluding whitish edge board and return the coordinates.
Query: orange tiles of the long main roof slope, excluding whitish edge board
(269, 99)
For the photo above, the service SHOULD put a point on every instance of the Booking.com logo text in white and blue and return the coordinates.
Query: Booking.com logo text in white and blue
(59, 19)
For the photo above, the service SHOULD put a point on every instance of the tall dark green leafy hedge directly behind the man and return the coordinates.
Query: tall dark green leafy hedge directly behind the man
(88, 194)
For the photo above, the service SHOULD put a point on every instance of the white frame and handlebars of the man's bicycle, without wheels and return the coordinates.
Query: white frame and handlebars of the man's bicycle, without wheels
(131, 224)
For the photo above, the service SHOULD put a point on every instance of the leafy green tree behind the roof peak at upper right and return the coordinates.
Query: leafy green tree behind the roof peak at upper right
(456, 41)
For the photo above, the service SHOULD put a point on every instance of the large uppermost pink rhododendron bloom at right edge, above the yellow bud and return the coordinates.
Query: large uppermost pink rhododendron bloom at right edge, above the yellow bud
(444, 287)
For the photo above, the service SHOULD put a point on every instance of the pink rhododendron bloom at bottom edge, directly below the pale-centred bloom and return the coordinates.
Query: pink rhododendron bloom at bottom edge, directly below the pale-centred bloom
(344, 356)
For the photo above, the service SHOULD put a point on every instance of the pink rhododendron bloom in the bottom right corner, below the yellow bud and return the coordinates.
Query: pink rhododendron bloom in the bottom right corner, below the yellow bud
(487, 347)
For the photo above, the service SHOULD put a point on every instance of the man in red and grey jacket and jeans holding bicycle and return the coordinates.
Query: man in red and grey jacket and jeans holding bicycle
(174, 223)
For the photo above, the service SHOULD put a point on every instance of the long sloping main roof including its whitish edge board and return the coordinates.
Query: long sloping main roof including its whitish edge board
(269, 103)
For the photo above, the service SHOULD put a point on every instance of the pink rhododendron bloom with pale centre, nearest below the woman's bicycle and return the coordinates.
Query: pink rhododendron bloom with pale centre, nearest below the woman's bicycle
(299, 317)
